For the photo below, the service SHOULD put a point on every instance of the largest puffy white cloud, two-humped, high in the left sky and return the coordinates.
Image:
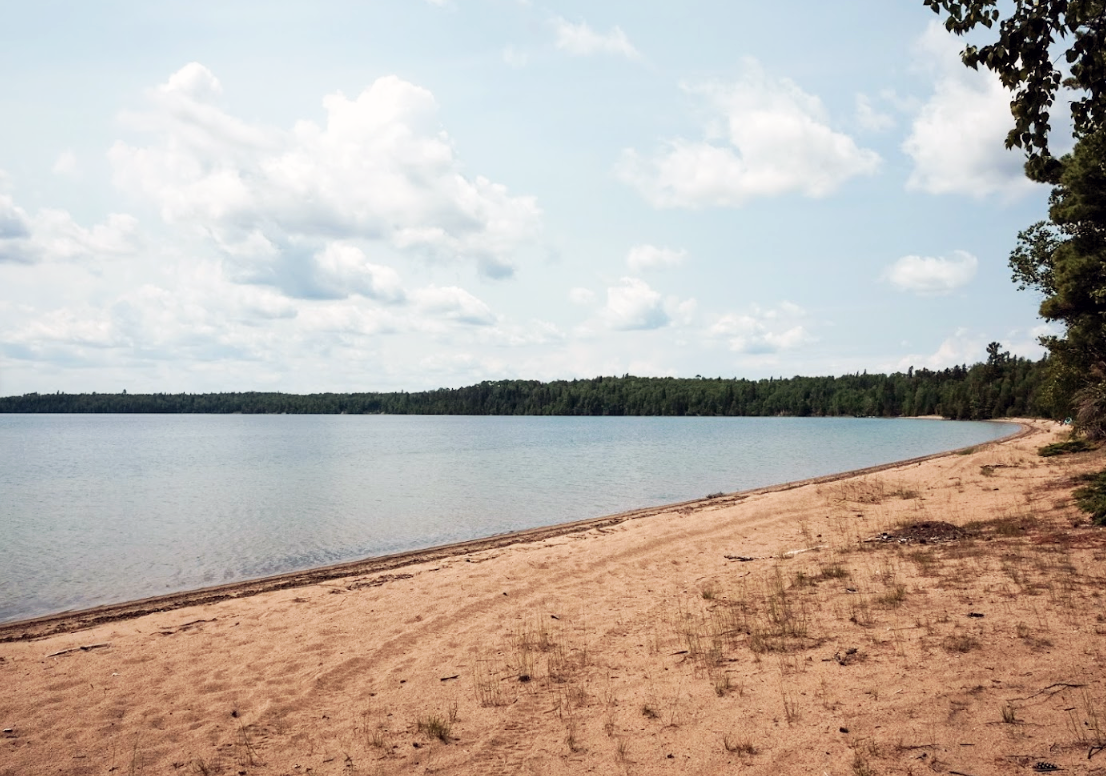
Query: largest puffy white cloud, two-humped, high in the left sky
(380, 169)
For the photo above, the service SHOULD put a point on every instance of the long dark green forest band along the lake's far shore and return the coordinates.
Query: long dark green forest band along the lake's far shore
(1005, 386)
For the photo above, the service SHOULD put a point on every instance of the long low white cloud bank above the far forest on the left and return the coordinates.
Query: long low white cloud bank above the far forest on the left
(197, 317)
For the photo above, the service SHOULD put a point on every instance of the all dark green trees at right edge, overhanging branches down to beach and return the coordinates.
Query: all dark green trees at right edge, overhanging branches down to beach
(1065, 258)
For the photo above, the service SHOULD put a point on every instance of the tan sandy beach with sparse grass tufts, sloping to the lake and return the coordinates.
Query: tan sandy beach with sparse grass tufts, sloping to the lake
(790, 631)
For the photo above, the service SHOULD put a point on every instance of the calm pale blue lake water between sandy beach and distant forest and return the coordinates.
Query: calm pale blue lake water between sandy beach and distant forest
(101, 509)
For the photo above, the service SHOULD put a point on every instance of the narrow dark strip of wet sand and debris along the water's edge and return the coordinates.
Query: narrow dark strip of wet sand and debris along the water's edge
(81, 620)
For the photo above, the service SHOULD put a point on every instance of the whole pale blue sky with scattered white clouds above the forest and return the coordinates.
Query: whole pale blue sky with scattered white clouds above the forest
(405, 195)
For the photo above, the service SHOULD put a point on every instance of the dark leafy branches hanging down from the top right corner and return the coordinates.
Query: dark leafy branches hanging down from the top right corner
(1024, 60)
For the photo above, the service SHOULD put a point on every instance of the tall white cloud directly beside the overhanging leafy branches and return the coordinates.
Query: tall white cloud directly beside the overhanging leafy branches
(958, 138)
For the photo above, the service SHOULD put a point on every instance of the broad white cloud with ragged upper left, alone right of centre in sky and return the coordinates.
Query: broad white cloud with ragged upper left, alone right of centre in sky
(774, 140)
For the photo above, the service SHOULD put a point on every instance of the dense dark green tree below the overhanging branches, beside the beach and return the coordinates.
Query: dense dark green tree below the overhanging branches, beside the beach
(1066, 260)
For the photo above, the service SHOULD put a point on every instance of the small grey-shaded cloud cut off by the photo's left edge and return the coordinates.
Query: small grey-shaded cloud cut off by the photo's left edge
(54, 236)
